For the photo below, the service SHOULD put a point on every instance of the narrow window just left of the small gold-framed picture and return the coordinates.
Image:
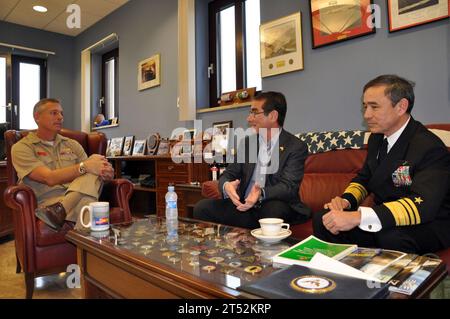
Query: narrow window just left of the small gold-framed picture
(110, 62)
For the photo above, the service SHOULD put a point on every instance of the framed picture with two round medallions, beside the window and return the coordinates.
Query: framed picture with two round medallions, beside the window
(281, 45)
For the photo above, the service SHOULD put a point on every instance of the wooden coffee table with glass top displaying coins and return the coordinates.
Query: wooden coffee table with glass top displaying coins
(144, 259)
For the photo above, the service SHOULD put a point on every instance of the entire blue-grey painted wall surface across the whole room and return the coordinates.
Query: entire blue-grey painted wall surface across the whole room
(324, 96)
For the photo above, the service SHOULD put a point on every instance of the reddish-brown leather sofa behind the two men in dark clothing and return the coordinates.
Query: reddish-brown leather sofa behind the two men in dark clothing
(326, 176)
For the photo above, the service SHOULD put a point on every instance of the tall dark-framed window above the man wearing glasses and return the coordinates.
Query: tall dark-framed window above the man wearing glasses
(234, 50)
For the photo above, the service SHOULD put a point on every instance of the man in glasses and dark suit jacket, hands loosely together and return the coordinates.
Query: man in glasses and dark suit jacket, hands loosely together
(267, 186)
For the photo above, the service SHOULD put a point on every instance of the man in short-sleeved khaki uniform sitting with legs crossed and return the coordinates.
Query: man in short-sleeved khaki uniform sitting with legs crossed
(58, 170)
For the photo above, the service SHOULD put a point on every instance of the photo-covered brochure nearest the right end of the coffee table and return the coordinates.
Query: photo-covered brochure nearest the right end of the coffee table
(413, 275)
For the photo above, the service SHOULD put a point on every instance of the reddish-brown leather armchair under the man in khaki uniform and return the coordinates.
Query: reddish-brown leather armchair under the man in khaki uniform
(40, 250)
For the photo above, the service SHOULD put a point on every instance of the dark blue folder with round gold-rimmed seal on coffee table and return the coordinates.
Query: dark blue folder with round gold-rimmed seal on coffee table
(300, 282)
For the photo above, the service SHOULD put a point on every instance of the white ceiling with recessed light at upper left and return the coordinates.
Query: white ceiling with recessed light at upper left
(54, 20)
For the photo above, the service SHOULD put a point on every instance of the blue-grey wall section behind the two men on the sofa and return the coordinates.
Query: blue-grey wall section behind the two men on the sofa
(326, 94)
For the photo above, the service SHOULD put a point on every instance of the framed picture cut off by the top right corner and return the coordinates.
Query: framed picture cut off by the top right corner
(405, 14)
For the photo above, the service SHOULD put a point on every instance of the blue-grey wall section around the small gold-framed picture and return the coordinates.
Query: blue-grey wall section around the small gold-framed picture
(144, 28)
